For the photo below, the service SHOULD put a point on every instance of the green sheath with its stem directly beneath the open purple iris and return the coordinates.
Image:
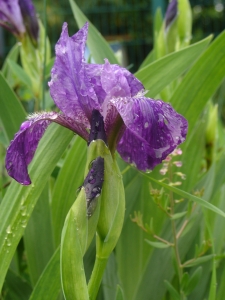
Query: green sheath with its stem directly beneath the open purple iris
(111, 216)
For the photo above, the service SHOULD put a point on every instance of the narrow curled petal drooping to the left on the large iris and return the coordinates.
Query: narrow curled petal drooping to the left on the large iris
(22, 148)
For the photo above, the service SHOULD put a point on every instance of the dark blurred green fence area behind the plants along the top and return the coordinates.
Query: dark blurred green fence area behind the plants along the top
(127, 24)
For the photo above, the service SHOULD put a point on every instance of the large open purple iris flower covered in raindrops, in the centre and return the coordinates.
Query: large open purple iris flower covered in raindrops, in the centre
(143, 130)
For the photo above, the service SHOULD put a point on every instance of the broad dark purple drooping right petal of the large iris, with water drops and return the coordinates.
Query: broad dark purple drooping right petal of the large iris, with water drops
(153, 130)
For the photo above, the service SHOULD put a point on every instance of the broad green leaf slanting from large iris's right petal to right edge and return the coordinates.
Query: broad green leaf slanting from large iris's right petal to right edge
(201, 82)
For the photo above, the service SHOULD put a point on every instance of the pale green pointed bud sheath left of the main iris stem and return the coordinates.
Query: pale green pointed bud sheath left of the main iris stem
(73, 245)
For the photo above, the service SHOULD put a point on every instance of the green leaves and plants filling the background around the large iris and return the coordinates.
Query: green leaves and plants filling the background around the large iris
(172, 243)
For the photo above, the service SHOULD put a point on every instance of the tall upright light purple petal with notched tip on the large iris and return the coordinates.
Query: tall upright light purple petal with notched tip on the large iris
(69, 85)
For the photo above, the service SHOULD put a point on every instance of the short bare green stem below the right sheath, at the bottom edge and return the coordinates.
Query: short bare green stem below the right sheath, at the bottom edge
(96, 277)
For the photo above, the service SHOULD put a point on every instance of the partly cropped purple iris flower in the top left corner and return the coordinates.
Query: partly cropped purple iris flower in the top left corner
(19, 16)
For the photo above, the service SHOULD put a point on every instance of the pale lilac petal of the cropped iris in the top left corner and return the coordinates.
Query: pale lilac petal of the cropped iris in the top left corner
(11, 18)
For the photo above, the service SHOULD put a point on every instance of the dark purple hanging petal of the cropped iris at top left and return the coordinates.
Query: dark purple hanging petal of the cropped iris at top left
(30, 19)
